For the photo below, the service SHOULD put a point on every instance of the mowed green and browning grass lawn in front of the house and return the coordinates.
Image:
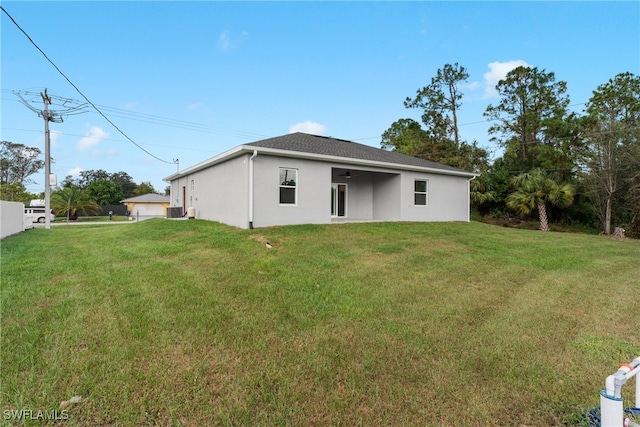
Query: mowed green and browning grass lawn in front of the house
(195, 323)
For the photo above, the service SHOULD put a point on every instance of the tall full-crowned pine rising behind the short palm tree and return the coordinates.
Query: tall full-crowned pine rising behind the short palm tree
(532, 119)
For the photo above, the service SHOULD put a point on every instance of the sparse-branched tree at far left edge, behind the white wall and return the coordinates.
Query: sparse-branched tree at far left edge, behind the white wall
(18, 162)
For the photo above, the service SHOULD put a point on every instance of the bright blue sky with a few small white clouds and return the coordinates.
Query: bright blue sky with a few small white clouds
(190, 80)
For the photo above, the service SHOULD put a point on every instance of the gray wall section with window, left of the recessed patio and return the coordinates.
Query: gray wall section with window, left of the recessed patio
(313, 192)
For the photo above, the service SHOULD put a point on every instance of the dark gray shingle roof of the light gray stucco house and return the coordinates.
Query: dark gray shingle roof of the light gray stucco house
(323, 145)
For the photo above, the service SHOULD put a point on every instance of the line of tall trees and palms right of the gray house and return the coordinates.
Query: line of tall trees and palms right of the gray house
(556, 164)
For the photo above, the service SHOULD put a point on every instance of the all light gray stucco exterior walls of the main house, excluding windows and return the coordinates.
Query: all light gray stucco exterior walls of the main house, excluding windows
(221, 193)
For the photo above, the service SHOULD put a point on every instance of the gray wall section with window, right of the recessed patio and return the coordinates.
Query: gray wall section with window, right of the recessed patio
(447, 198)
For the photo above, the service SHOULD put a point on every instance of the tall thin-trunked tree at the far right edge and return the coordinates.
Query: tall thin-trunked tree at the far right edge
(612, 154)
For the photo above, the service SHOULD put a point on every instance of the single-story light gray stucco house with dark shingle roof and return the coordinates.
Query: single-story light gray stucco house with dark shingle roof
(301, 179)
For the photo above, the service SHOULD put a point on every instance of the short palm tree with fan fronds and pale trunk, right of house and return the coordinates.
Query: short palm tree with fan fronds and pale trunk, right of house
(535, 189)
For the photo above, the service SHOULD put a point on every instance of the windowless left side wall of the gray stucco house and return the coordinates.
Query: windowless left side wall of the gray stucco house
(219, 193)
